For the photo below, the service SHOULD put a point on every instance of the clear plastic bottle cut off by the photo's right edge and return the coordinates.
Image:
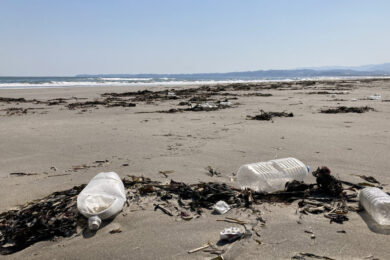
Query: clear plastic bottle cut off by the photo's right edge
(377, 203)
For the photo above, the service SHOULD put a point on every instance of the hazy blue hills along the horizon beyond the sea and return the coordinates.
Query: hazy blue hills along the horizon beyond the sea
(367, 70)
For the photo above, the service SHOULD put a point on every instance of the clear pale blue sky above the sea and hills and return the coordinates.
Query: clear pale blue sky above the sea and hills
(69, 37)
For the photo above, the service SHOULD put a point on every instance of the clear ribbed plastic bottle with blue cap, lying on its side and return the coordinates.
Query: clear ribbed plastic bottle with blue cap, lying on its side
(272, 175)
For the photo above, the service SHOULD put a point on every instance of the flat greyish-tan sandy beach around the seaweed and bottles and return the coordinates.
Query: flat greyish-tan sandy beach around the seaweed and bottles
(55, 140)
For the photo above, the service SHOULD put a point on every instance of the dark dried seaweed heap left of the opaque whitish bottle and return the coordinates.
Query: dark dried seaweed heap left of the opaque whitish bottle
(54, 215)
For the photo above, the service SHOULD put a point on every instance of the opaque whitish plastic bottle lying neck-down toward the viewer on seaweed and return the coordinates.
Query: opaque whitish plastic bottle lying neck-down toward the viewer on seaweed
(102, 198)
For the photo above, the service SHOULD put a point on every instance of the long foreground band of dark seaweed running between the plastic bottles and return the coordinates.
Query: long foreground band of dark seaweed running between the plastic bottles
(56, 215)
